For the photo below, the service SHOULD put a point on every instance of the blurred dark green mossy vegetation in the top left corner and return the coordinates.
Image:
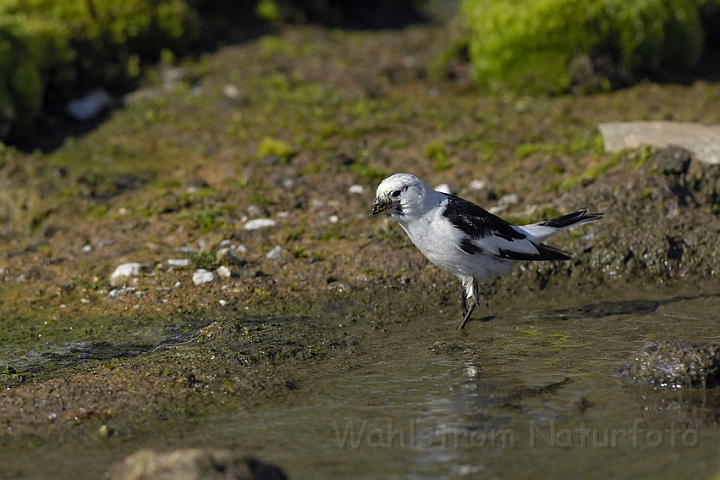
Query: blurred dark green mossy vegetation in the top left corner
(44, 43)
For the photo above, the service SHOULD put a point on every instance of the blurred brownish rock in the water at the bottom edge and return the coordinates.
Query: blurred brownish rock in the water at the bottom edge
(192, 464)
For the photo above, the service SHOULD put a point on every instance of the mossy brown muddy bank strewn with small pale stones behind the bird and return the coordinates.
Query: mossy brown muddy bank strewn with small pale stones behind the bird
(298, 129)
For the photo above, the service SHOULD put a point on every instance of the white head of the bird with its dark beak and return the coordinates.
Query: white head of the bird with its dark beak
(401, 195)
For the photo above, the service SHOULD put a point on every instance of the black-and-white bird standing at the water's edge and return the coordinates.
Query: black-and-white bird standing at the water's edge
(464, 239)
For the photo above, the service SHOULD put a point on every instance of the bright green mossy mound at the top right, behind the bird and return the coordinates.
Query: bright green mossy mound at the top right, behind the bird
(530, 46)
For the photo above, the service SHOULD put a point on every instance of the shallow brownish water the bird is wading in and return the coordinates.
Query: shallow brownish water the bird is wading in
(532, 390)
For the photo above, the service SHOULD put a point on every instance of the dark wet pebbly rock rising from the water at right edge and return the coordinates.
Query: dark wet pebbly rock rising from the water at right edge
(670, 363)
